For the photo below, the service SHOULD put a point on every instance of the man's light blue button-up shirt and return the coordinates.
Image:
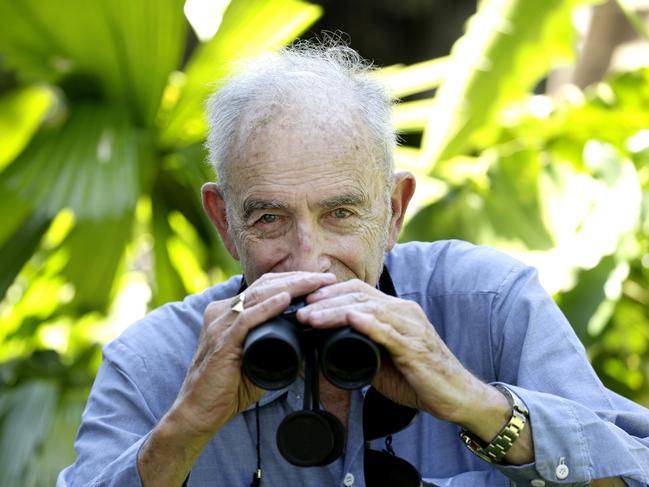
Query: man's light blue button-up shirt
(488, 308)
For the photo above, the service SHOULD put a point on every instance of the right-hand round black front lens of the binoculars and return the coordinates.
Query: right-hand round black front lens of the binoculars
(349, 360)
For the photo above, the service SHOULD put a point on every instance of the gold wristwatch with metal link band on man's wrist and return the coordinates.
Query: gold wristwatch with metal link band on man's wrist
(496, 450)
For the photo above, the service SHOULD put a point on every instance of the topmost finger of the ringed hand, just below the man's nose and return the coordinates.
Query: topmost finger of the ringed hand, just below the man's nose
(295, 284)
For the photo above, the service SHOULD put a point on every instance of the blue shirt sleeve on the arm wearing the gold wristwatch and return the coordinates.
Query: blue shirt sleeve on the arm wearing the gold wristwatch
(581, 430)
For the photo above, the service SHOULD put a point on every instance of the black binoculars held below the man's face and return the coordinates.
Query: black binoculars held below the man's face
(273, 352)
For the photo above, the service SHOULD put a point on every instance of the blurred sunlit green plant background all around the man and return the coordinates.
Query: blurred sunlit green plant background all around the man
(526, 123)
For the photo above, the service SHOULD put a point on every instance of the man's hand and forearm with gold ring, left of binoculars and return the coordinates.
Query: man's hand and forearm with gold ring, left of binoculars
(214, 389)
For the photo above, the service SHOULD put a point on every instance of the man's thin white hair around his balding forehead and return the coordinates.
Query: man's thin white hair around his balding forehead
(265, 83)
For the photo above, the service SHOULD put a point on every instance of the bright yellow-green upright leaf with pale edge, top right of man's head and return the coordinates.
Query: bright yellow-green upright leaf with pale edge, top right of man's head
(491, 66)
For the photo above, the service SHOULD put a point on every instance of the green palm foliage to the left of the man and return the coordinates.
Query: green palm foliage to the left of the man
(100, 170)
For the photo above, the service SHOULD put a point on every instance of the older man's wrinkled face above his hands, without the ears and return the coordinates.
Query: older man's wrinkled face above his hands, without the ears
(306, 194)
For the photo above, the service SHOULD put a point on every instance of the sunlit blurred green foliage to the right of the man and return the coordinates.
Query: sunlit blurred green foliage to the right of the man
(562, 183)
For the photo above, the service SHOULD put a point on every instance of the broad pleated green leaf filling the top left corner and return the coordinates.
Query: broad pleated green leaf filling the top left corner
(126, 48)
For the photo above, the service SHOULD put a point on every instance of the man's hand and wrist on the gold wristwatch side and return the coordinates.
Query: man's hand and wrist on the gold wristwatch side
(423, 372)
